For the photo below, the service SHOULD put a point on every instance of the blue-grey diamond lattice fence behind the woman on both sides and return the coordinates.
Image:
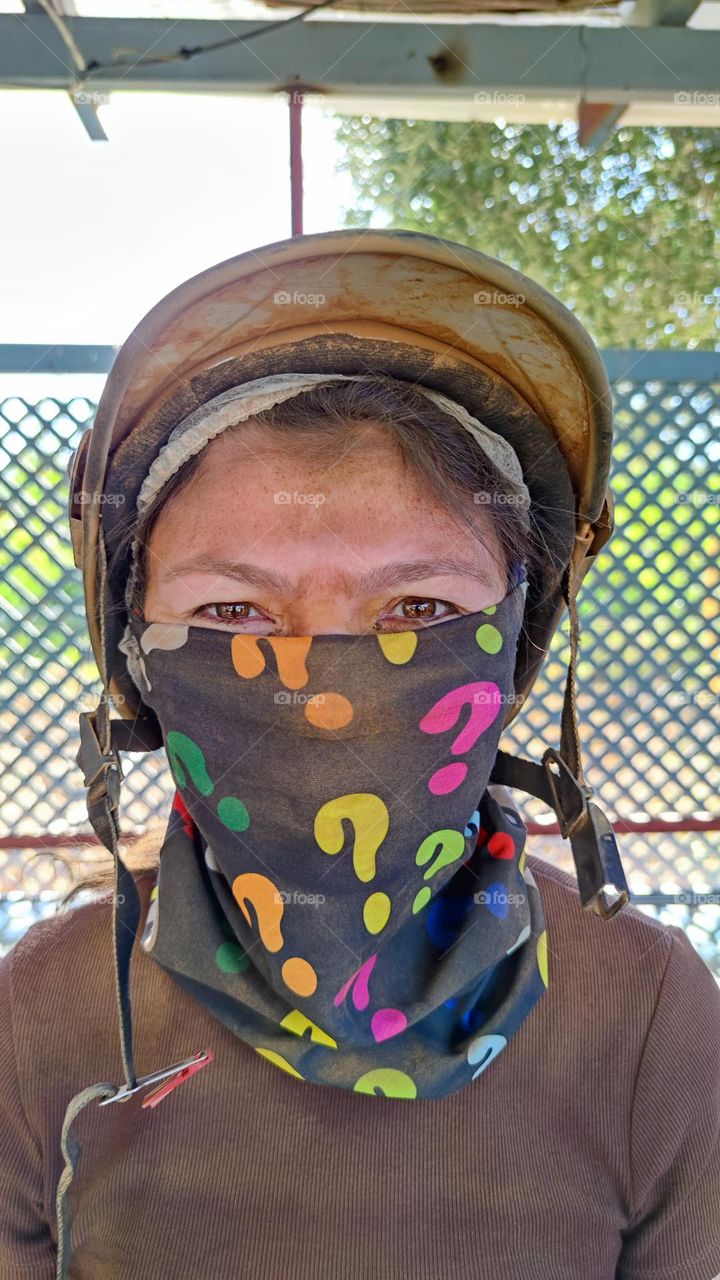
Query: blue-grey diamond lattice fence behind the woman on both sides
(649, 676)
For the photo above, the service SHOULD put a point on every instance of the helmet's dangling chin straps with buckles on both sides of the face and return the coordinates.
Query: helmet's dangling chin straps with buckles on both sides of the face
(558, 781)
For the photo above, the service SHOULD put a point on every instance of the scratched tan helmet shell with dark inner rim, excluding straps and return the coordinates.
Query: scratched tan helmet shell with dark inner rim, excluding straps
(398, 303)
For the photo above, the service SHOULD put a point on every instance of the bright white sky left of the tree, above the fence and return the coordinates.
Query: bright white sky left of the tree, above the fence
(94, 234)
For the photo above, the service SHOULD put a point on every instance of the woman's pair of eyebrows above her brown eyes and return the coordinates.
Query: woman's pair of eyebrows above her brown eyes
(389, 575)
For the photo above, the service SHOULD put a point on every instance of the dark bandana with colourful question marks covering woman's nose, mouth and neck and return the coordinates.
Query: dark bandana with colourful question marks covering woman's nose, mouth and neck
(338, 885)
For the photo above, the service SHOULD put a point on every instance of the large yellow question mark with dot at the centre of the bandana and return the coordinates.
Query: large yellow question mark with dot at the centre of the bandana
(370, 817)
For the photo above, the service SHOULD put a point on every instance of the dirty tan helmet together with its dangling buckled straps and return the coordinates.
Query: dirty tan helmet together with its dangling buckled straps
(412, 307)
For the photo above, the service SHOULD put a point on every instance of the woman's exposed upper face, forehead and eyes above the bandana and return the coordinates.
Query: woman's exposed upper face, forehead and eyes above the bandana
(267, 541)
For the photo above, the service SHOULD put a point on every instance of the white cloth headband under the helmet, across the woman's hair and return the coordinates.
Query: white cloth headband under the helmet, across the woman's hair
(240, 404)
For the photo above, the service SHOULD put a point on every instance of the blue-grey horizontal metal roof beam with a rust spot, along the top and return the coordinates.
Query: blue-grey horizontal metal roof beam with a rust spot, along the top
(366, 61)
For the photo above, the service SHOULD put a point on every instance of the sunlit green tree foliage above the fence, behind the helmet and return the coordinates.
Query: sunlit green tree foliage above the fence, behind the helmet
(626, 236)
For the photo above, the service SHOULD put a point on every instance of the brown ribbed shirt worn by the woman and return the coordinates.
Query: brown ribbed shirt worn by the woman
(590, 1151)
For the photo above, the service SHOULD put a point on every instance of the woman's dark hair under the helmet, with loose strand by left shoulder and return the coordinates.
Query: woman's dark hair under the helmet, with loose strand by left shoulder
(323, 423)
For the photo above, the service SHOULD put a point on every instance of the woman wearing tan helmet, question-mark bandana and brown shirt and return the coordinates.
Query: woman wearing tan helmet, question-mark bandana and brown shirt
(336, 497)
